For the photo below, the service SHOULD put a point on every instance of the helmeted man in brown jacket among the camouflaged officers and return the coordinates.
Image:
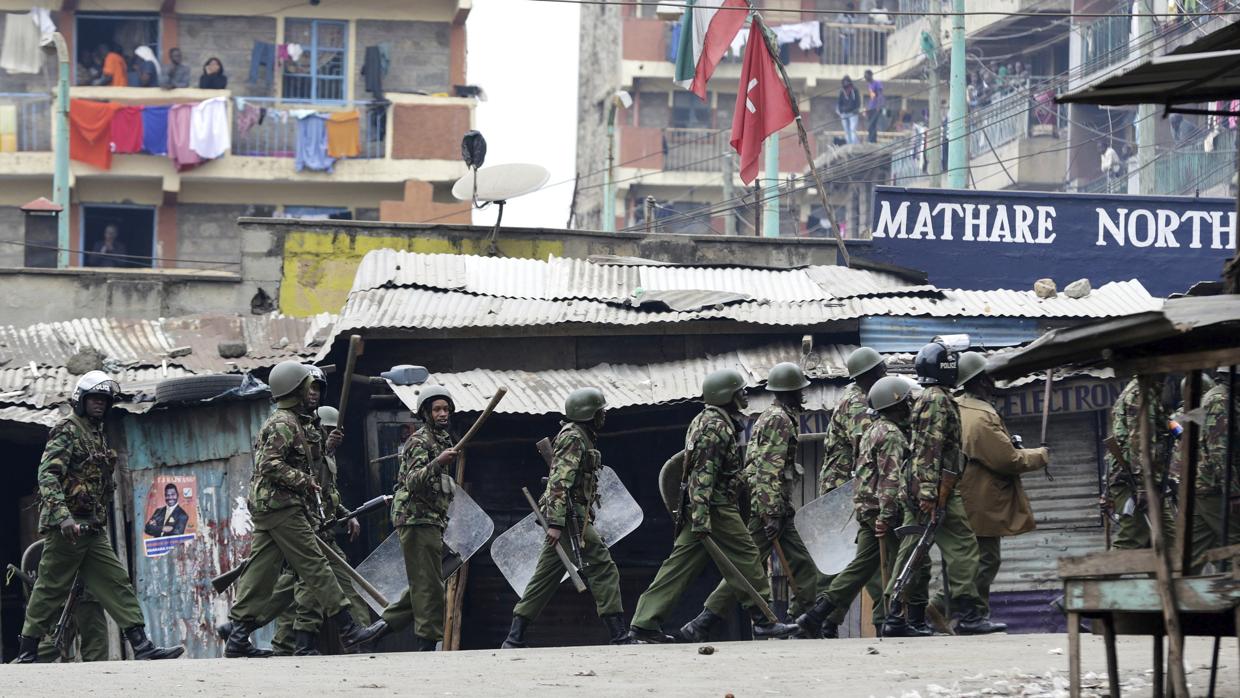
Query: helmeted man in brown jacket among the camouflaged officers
(995, 500)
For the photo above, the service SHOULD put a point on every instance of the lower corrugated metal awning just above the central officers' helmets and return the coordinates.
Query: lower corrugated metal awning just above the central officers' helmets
(544, 392)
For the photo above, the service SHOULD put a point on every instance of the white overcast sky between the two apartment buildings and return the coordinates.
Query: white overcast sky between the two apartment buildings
(525, 56)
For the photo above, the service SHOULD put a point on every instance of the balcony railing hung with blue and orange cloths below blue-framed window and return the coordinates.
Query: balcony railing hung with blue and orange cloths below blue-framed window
(276, 135)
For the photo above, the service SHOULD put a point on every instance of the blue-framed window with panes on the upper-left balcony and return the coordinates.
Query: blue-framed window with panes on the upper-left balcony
(319, 73)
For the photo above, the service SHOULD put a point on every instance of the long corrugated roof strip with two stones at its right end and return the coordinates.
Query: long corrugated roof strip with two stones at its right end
(409, 308)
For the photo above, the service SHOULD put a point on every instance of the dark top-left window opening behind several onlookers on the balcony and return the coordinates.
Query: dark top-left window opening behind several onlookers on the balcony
(121, 34)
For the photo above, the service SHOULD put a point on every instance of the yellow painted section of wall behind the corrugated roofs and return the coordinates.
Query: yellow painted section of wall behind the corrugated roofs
(319, 267)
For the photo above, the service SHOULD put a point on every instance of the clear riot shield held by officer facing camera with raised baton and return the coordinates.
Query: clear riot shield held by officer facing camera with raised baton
(469, 529)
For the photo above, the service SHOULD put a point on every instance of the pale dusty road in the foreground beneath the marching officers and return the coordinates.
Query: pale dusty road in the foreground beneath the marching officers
(1003, 665)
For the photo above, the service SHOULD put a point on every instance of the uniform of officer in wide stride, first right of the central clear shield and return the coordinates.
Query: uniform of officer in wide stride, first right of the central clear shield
(712, 457)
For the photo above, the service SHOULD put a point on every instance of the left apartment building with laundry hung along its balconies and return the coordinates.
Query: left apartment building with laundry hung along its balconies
(399, 65)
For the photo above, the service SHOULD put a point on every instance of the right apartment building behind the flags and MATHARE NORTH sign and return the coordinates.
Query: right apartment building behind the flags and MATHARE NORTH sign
(675, 148)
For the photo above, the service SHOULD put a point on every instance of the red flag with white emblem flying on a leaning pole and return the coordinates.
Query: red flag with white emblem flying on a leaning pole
(763, 106)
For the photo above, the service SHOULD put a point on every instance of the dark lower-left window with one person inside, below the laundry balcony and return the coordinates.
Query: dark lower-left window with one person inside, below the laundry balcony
(118, 236)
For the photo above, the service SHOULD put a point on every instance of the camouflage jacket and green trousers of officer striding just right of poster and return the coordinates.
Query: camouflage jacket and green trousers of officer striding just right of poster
(286, 514)
